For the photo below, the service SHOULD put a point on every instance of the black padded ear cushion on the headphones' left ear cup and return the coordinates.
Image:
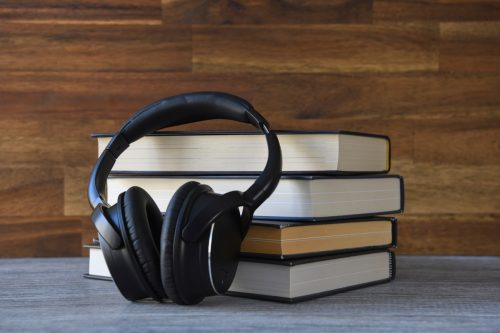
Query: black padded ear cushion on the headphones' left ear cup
(143, 221)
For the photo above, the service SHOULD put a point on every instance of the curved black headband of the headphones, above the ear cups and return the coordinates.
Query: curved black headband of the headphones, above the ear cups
(184, 109)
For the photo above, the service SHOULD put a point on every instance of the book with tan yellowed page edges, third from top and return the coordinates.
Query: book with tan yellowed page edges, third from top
(285, 239)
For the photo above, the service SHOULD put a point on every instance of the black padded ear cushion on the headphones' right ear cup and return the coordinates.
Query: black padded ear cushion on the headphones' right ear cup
(167, 239)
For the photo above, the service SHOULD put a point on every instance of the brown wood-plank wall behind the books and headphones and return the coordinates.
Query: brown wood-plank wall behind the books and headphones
(427, 73)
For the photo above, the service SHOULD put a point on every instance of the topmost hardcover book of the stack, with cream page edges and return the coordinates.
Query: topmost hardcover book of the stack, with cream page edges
(311, 152)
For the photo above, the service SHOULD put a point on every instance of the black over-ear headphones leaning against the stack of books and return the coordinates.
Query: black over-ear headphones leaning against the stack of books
(191, 252)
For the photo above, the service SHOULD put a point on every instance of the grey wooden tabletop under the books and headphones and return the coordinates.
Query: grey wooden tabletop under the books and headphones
(438, 294)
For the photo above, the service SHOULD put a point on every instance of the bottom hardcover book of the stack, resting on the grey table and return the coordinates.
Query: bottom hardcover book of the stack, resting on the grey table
(292, 280)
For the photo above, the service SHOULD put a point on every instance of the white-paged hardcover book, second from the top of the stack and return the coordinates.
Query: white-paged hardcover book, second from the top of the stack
(295, 198)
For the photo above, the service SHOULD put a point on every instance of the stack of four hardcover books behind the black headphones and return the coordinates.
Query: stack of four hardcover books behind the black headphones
(320, 232)
